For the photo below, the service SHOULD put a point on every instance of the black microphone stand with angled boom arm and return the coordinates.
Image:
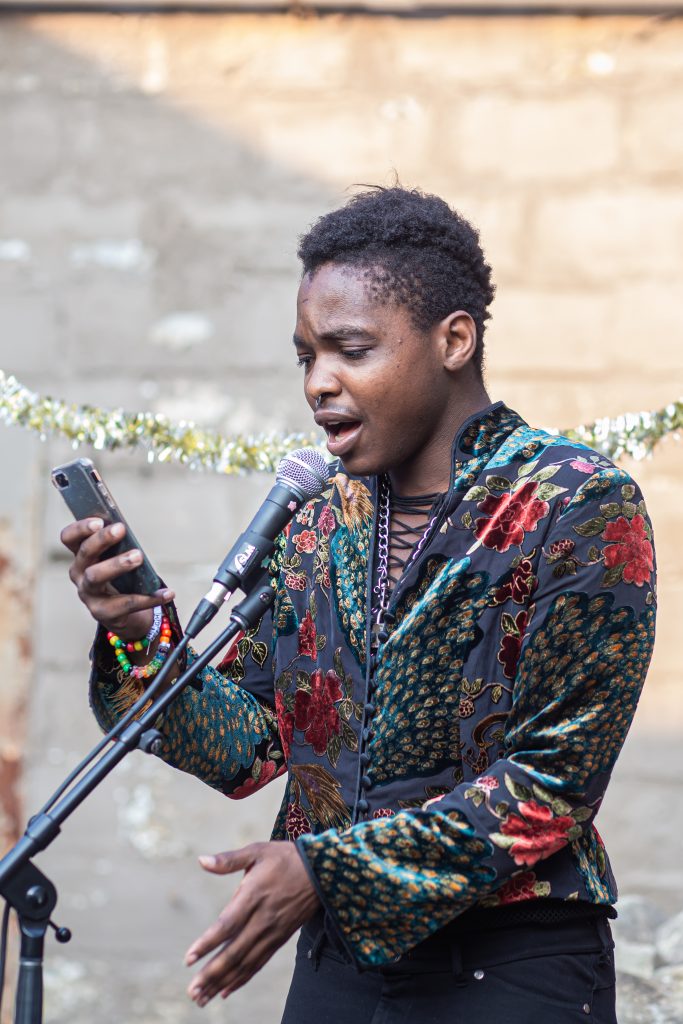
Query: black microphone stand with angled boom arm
(25, 888)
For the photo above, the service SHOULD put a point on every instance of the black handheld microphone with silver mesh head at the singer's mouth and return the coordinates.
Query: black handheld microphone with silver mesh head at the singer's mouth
(302, 476)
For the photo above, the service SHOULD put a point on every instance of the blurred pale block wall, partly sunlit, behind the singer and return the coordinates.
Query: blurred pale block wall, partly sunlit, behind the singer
(156, 172)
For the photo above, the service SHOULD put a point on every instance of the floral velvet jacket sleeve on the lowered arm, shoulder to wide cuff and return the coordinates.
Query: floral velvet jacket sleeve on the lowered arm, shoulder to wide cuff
(583, 654)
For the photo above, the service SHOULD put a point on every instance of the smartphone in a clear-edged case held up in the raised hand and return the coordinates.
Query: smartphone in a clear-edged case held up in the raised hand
(88, 496)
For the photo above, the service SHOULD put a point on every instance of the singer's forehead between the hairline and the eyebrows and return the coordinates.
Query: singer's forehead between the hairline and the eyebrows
(343, 294)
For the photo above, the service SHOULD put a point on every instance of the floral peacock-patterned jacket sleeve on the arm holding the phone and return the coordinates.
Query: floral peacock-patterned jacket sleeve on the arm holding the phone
(225, 734)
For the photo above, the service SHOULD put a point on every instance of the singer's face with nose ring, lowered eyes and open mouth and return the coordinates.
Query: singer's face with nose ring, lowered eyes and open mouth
(378, 386)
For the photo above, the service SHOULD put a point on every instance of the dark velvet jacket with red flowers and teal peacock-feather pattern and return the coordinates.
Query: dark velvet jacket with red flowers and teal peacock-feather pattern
(467, 763)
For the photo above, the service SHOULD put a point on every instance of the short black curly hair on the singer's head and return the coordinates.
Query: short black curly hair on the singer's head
(418, 252)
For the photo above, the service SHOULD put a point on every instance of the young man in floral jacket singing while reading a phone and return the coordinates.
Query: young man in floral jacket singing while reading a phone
(462, 626)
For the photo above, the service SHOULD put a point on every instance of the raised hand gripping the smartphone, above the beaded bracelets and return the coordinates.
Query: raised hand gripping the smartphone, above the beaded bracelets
(127, 615)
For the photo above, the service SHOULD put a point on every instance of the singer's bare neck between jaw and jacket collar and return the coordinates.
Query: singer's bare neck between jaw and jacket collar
(430, 471)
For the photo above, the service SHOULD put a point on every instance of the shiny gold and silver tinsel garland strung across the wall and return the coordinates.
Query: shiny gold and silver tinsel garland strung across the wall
(166, 441)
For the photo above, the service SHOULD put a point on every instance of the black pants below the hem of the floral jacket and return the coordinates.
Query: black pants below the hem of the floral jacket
(525, 974)
